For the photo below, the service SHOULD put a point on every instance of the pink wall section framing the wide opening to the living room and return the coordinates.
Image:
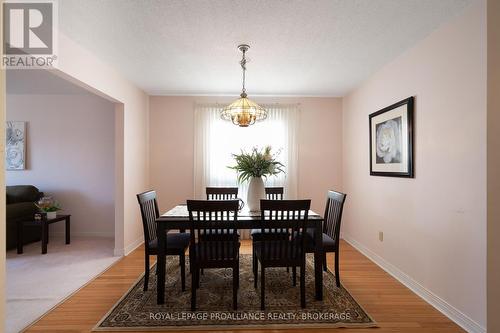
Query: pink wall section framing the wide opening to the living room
(131, 134)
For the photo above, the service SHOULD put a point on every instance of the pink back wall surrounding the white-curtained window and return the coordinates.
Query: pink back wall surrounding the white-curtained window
(172, 146)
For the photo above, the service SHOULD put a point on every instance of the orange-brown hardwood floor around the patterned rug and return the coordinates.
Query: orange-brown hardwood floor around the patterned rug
(393, 306)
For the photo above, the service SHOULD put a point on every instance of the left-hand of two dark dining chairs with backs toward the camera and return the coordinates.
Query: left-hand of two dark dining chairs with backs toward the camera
(213, 252)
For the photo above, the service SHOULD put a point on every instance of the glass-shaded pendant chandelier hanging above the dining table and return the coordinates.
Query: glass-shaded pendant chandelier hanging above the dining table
(243, 112)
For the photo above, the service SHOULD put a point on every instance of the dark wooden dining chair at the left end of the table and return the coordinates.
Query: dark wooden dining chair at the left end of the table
(177, 243)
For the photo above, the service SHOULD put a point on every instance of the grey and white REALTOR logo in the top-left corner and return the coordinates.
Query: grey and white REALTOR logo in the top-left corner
(29, 34)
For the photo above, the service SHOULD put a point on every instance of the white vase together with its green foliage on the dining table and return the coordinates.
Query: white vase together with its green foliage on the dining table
(252, 166)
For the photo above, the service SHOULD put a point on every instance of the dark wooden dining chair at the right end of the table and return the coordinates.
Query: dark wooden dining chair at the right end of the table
(331, 230)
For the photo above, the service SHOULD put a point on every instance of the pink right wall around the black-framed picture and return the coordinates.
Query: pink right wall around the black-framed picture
(434, 225)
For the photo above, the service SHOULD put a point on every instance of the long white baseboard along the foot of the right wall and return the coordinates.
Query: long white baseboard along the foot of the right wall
(441, 305)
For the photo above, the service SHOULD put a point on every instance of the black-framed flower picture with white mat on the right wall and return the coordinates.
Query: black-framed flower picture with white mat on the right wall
(391, 140)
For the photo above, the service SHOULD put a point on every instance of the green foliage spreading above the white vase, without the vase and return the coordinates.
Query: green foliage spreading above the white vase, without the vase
(256, 163)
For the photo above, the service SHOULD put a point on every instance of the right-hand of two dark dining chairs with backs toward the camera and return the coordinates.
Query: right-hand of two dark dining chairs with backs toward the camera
(282, 249)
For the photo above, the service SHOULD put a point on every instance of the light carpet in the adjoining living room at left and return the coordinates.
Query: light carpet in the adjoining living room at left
(36, 282)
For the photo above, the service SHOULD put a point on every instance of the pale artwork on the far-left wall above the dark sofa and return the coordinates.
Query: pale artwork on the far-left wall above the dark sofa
(15, 145)
